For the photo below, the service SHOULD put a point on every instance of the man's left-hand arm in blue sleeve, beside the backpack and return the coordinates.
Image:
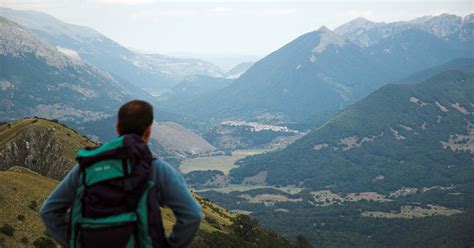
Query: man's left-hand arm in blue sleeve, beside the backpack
(54, 209)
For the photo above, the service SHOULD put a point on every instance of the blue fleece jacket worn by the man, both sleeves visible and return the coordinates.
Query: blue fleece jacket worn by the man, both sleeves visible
(173, 194)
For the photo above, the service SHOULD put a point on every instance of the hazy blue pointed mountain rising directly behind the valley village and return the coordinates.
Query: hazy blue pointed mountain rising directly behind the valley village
(295, 81)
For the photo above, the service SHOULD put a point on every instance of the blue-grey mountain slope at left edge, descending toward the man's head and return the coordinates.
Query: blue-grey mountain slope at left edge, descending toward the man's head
(37, 79)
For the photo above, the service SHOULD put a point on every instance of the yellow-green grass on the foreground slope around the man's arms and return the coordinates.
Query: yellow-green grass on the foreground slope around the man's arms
(19, 187)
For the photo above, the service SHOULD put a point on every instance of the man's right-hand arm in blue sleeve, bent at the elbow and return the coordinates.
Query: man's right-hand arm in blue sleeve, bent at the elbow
(176, 195)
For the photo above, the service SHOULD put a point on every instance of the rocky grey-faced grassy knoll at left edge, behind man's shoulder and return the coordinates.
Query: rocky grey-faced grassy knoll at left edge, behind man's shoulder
(40, 145)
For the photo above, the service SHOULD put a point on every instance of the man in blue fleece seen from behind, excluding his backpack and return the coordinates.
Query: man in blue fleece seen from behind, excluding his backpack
(134, 117)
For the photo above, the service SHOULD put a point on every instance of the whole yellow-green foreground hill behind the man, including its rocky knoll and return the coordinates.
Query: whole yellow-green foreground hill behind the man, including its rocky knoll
(47, 148)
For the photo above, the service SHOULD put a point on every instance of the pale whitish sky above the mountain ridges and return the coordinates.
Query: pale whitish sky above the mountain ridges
(226, 31)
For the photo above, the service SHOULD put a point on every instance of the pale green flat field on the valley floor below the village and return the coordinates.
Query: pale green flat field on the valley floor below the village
(221, 163)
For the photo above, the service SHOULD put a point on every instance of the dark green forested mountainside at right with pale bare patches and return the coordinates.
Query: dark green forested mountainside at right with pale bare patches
(387, 141)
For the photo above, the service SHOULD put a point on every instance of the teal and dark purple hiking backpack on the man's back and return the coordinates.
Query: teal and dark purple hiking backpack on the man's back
(116, 204)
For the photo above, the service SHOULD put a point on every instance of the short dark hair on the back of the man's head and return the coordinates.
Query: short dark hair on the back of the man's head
(134, 117)
